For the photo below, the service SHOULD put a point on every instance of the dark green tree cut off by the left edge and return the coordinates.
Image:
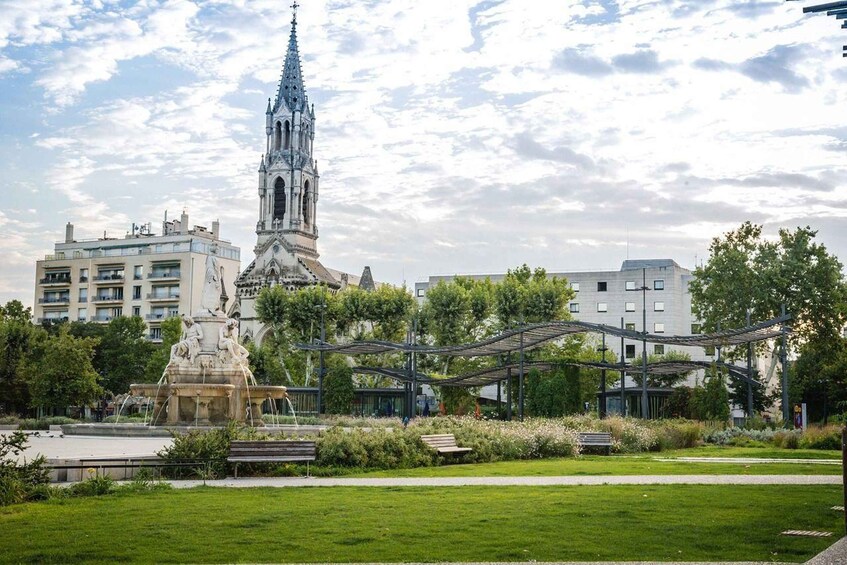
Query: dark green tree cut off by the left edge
(17, 338)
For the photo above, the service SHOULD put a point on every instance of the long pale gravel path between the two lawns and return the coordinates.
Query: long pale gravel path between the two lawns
(520, 481)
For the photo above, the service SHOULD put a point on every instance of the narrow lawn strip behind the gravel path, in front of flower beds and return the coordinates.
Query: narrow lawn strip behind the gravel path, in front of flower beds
(644, 464)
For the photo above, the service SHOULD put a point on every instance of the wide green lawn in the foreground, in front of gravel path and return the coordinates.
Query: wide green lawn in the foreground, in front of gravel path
(636, 523)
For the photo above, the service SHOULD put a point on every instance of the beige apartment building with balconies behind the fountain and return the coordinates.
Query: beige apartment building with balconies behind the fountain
(141, 274)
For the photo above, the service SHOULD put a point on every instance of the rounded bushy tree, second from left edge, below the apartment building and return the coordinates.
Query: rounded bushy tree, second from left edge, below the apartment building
(60, 373)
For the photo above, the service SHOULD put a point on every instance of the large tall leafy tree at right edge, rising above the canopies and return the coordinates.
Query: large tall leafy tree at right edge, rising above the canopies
(747, 271)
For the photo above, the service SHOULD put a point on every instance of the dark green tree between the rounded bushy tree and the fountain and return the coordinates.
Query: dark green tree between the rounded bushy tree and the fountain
(123, 353)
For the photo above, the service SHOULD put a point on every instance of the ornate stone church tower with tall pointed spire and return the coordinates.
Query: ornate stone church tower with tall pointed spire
(286, 250)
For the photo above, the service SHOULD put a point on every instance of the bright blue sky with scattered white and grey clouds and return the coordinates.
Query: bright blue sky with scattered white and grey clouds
(456, 136)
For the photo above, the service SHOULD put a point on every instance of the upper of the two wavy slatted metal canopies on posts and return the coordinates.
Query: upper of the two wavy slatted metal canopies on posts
(531, 336)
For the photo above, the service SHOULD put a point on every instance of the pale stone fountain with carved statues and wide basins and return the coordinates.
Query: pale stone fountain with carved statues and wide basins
(208, 380)
